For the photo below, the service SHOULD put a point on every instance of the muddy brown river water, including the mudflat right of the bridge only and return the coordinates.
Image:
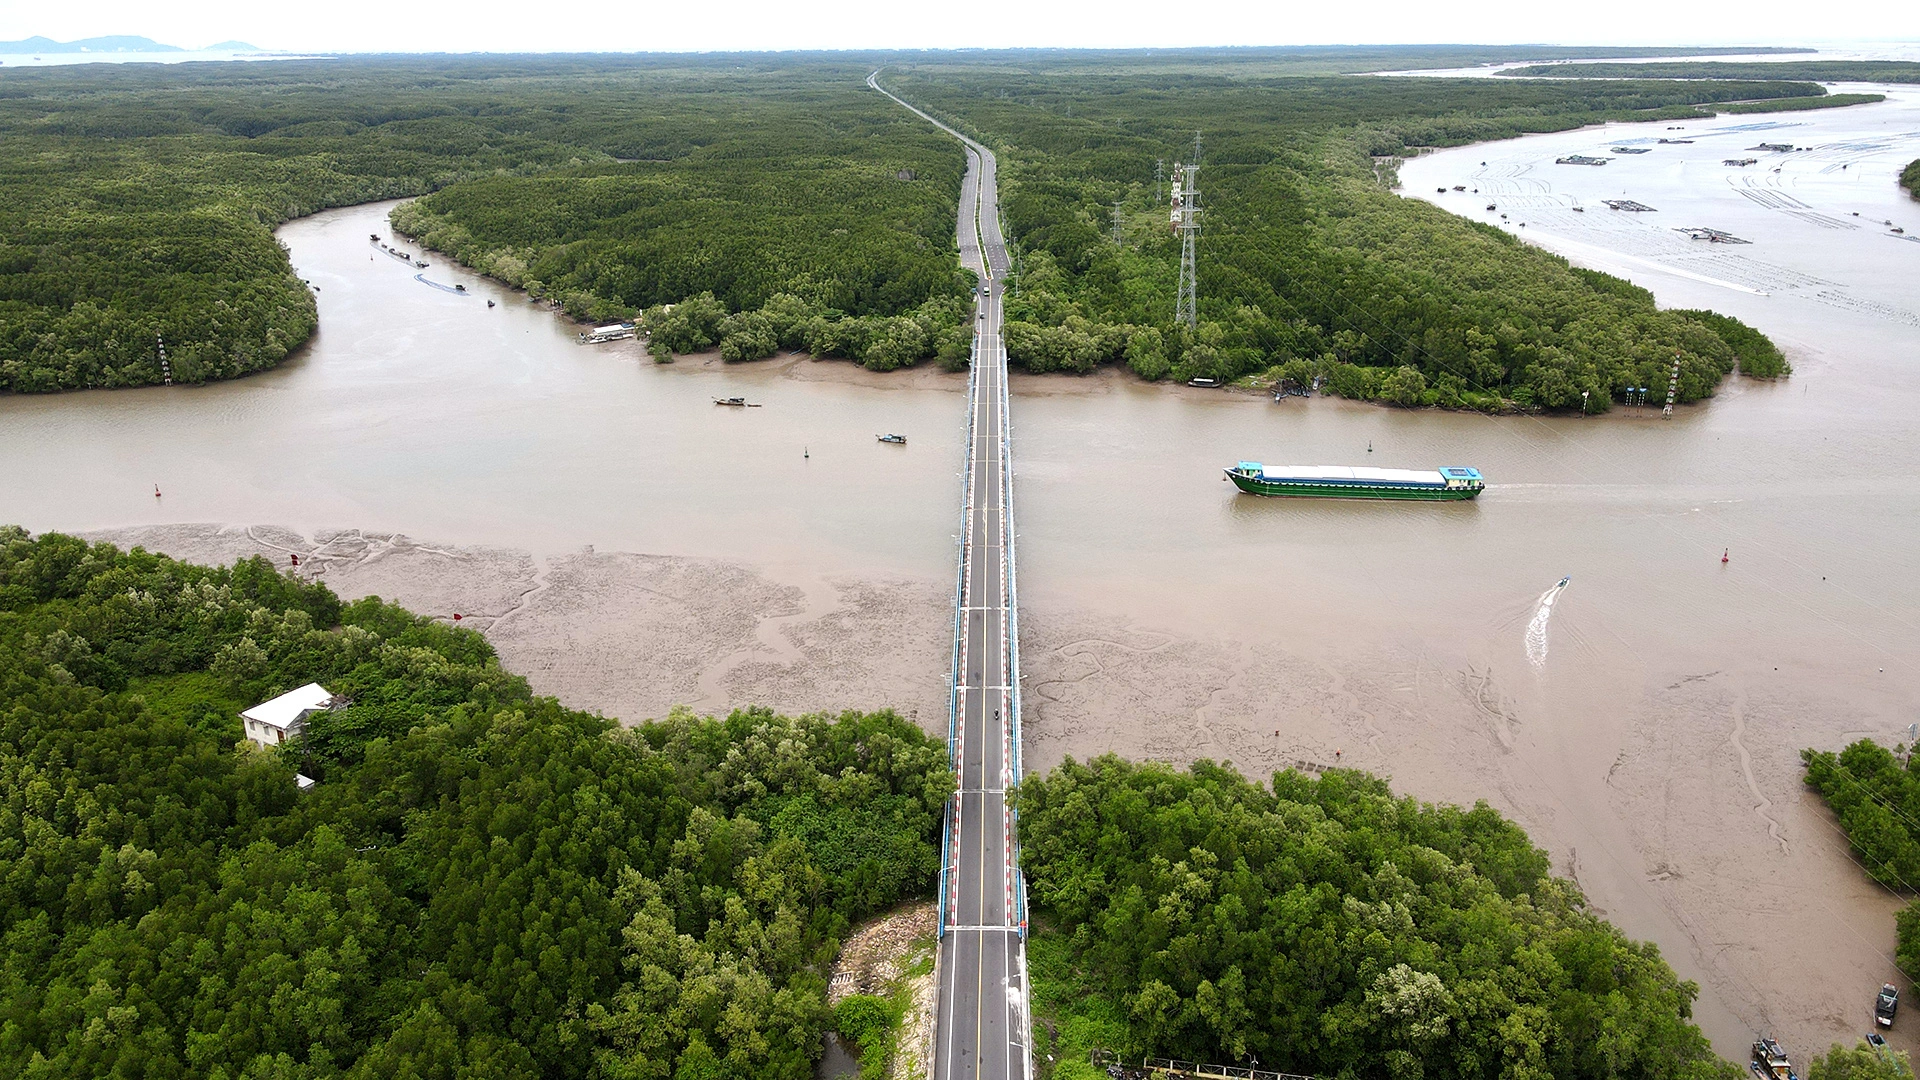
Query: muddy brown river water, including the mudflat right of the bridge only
(1643, 724)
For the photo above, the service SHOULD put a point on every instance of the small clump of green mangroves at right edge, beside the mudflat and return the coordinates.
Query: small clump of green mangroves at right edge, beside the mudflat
(1877, 798)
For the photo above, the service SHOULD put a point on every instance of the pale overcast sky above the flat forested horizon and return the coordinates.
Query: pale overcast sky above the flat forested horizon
(613, 26)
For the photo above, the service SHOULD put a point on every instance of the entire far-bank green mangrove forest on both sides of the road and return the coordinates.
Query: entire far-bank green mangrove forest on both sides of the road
(798, 210)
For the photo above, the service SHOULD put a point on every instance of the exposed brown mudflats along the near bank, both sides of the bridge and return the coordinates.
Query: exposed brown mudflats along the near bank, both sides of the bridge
(1602, 791)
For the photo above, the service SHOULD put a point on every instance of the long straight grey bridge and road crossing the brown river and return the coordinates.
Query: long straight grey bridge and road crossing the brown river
(984, 1025)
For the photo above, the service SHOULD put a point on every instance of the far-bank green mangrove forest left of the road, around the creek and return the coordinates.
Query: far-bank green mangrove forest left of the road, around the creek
(137, 201)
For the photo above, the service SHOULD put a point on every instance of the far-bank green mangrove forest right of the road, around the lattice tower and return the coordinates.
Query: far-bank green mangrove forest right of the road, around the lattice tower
(1310, 266)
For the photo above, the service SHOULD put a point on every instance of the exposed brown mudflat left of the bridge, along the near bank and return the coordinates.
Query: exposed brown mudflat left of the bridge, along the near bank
(633, 635)
